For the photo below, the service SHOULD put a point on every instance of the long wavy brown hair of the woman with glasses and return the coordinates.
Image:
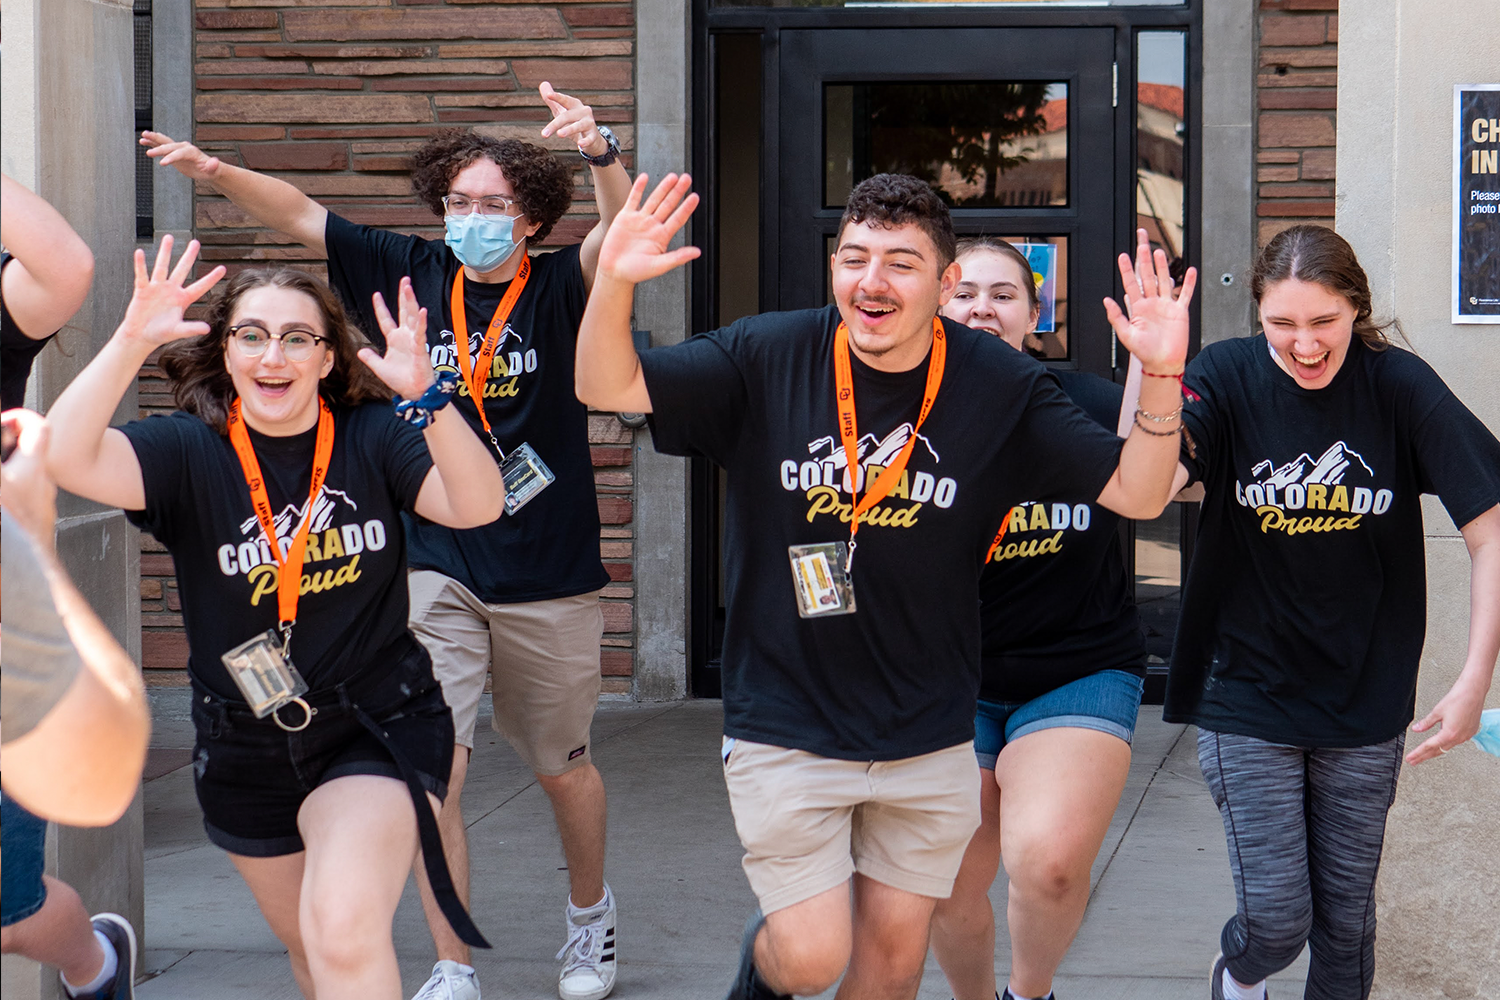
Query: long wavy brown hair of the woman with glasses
(202, 383)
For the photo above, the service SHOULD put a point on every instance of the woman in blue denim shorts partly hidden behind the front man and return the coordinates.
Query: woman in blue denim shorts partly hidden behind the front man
(1064, 662)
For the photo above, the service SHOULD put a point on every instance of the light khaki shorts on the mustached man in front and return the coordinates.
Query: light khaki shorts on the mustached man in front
(811, 822)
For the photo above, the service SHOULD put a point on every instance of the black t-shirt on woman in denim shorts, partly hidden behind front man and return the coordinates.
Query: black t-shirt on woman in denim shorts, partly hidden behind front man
(1057, 605)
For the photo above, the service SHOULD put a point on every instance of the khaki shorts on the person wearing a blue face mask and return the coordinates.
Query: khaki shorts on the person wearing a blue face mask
(544, 657)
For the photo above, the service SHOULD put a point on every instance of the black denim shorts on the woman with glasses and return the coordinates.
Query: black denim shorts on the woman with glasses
(253, 776)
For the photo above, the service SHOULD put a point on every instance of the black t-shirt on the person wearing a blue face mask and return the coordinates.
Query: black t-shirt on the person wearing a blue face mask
(550, 548)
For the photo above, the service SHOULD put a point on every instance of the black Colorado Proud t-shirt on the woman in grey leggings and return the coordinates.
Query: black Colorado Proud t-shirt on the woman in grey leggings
(1306, 608)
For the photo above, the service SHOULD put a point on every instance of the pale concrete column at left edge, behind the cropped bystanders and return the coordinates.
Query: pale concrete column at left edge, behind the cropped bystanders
(68, 95)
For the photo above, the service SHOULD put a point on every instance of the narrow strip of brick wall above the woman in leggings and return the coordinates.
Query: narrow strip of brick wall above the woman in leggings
(1297, 92)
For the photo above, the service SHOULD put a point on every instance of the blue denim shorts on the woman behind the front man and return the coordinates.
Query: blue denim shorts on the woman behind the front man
(1108, 701)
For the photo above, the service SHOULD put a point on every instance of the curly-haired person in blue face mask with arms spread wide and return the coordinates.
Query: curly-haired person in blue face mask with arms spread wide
(517, 599)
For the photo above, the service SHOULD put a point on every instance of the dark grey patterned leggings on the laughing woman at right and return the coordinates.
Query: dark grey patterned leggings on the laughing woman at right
(1306, 830)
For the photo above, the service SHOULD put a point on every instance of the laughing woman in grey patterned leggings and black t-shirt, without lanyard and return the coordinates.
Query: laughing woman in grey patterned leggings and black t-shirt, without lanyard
(1304, 614)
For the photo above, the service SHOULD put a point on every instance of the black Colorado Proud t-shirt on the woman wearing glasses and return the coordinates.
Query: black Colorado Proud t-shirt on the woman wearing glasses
(352, 617)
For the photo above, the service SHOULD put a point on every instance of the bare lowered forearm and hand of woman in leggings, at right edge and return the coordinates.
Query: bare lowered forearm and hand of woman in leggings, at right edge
(1457, 714)
